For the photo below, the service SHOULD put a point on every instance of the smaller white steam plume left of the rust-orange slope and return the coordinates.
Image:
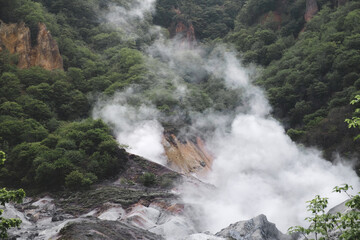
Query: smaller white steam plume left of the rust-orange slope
(136, 127)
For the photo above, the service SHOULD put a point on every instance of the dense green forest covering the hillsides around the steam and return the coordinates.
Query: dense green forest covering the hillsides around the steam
(310, 71)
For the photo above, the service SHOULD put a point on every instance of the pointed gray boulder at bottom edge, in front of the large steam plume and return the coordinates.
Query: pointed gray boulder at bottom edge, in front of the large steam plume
(258, 228)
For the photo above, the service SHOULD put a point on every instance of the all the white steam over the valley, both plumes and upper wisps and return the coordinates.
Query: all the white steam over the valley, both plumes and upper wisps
(257, 168)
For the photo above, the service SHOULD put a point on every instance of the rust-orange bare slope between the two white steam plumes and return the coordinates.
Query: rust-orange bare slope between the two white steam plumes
(188, 156)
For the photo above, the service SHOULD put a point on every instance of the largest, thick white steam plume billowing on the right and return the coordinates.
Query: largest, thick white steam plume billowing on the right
(259, 170)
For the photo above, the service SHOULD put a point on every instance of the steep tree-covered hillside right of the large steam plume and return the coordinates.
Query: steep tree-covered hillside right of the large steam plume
(311, 82)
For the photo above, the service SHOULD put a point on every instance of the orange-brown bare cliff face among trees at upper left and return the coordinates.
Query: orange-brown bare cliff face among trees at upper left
(17, 40)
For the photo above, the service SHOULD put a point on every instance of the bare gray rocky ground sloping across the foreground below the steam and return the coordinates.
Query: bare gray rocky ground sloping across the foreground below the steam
(123, 208)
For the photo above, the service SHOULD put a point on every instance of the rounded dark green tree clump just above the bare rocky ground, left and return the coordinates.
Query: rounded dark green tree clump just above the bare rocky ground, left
(84, 149)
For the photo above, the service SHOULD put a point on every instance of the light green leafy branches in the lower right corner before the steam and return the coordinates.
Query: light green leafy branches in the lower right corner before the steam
(345, 225)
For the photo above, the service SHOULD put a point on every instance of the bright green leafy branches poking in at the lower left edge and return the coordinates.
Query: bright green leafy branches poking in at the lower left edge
(6, 197)
